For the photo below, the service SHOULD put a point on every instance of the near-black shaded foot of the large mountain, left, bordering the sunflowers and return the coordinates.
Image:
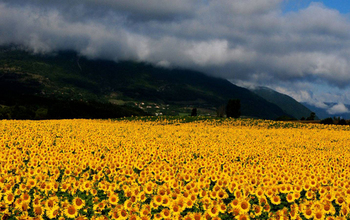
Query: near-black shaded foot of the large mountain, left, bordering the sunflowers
(39, 108)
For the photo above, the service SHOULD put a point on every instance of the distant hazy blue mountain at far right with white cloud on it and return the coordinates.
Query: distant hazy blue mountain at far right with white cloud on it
(327, 109)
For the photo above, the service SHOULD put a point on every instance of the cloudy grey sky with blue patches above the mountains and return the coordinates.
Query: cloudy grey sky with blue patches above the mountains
(297, 47)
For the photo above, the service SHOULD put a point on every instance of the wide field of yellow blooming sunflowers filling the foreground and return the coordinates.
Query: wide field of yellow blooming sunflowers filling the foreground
(166, 169)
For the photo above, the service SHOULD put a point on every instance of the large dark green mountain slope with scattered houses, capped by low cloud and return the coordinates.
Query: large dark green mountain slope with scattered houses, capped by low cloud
(65, 76)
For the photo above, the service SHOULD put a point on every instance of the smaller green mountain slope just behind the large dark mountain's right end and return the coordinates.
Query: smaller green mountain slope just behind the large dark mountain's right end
(285, 102)
